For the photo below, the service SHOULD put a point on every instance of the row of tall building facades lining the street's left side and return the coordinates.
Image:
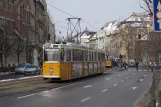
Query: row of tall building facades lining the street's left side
(24, 24)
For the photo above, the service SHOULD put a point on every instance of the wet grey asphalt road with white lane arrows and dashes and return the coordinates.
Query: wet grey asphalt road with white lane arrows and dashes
(119, 89)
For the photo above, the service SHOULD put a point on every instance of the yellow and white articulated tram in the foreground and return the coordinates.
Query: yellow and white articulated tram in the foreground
(70, 61)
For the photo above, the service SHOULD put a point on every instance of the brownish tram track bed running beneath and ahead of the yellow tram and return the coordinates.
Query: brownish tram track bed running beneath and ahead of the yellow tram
(33, 84)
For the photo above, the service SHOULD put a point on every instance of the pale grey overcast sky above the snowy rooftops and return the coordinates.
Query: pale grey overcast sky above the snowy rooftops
(95, 12)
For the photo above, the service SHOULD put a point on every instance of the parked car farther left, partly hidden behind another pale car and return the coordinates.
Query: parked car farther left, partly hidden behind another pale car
(21, 68)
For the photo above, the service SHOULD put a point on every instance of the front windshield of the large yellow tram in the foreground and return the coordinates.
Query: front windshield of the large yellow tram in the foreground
(52, 55)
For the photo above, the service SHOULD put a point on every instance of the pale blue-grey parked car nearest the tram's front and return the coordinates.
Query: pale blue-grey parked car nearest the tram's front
(32, 69)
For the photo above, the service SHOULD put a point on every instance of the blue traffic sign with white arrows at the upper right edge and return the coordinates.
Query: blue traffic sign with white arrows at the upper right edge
(157, 15)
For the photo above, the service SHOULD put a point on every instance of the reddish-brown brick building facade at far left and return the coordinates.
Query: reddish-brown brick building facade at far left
(12, 23)
